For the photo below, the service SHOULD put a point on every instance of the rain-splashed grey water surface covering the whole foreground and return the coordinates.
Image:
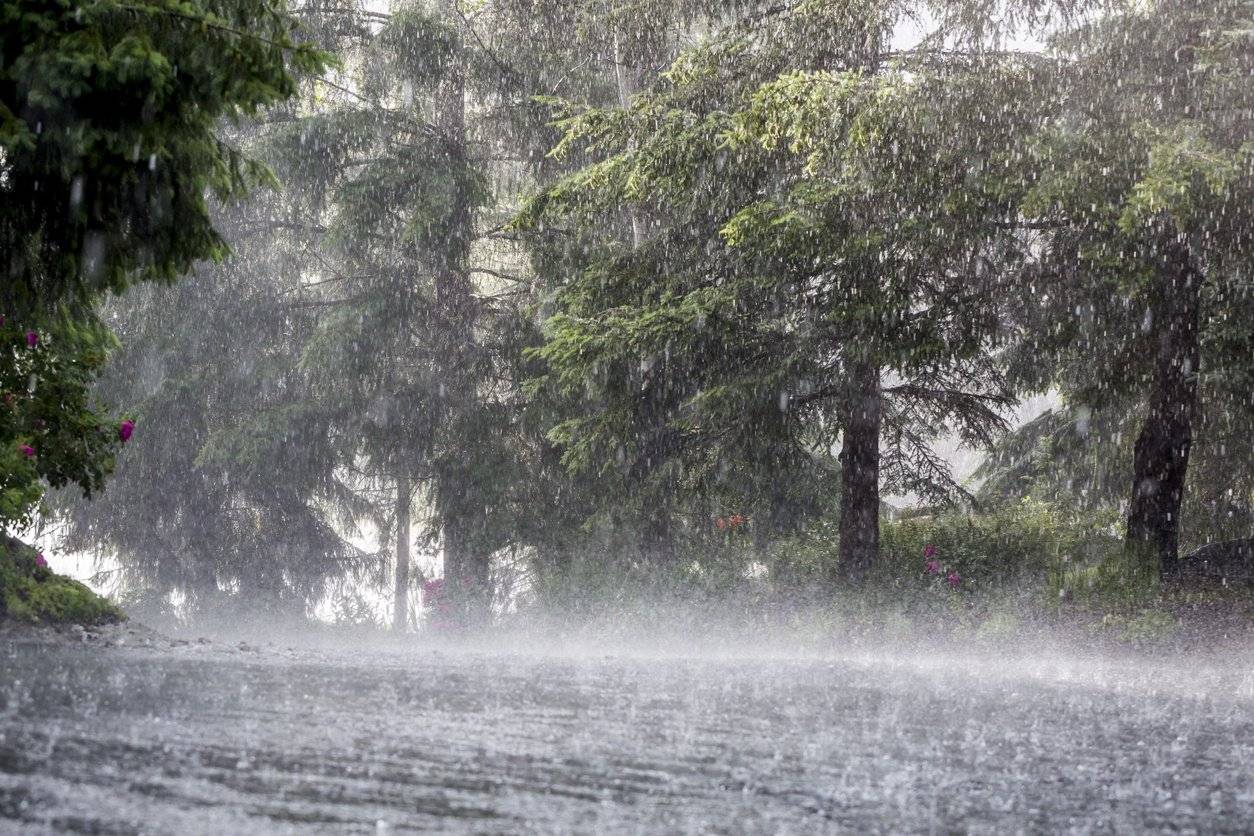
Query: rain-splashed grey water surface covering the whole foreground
(199, 740)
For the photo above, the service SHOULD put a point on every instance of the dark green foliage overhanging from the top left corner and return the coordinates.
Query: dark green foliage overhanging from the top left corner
(108, 136)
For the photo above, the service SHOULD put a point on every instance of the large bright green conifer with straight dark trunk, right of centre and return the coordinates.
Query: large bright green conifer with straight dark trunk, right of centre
(821, 265)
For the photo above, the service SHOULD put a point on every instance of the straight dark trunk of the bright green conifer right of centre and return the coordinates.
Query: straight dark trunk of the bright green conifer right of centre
(860, 476)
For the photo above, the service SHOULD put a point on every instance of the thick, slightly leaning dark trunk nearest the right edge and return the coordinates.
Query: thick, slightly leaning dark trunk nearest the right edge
(1162, 459)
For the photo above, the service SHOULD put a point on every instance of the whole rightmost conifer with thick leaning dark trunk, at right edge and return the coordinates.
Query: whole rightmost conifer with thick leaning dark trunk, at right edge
(1142, 184)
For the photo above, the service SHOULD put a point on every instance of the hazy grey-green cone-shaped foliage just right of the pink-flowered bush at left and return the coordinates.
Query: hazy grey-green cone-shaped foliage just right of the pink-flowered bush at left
(195, 506)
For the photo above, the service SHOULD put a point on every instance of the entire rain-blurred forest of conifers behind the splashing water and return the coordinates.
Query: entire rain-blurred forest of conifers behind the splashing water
(560, 304)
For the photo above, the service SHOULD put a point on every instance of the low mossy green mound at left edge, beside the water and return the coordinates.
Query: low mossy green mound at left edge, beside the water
(38, 596)
